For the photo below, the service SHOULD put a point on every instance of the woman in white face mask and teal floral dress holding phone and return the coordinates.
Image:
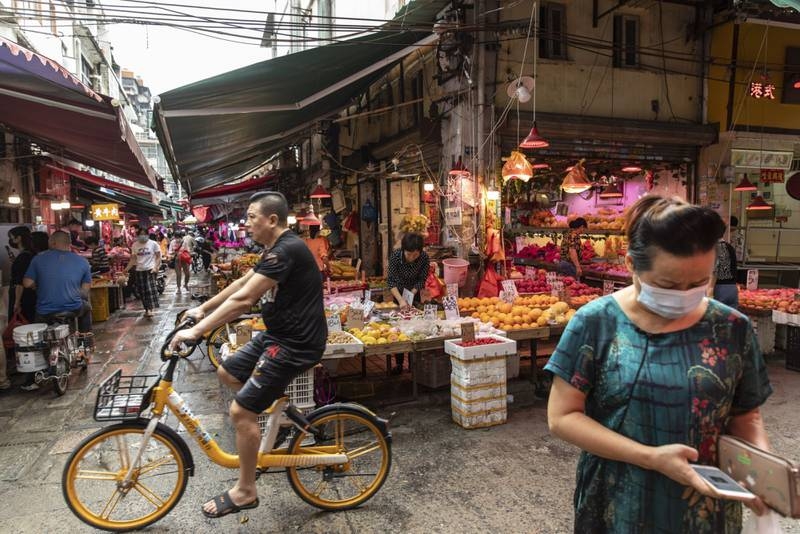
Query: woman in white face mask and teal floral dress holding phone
(647, 379)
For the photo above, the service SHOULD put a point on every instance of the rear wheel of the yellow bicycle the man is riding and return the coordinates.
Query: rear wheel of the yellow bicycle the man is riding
(345, 486)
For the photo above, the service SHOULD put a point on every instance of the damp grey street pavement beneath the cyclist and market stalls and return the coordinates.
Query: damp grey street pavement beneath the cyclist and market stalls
(510, 478)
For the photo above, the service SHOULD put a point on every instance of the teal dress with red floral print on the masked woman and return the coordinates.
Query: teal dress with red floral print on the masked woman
(657, 389)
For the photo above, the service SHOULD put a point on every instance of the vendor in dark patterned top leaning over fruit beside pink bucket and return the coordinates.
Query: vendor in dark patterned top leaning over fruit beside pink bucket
(408, 269)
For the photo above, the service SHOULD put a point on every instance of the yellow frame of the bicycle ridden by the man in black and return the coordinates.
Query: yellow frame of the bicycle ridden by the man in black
(165, 396)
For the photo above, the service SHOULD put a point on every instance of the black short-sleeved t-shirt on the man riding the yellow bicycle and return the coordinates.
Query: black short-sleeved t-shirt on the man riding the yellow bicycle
(293, 310)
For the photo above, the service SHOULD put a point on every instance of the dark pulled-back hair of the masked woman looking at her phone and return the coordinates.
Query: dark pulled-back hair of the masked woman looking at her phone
(670, 224)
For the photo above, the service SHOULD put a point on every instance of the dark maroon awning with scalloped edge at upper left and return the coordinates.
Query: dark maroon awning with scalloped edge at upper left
(41, 100)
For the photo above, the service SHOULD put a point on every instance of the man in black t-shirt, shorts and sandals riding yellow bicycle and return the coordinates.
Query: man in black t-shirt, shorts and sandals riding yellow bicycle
(287, 282)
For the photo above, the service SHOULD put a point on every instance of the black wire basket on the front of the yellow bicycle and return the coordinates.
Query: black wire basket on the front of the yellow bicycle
(122, 397)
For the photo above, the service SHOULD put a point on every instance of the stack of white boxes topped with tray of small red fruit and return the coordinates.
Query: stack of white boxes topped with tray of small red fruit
(478, 380)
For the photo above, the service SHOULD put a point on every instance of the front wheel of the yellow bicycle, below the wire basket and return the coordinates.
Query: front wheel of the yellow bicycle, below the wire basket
(93, 486)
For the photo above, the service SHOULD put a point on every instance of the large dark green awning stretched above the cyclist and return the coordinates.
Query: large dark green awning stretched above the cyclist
(217, 130)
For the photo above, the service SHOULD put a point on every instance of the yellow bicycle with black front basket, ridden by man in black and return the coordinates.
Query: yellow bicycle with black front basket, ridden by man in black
(131, 474)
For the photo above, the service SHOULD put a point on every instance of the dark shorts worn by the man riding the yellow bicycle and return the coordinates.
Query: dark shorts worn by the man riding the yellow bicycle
(265, 368)
